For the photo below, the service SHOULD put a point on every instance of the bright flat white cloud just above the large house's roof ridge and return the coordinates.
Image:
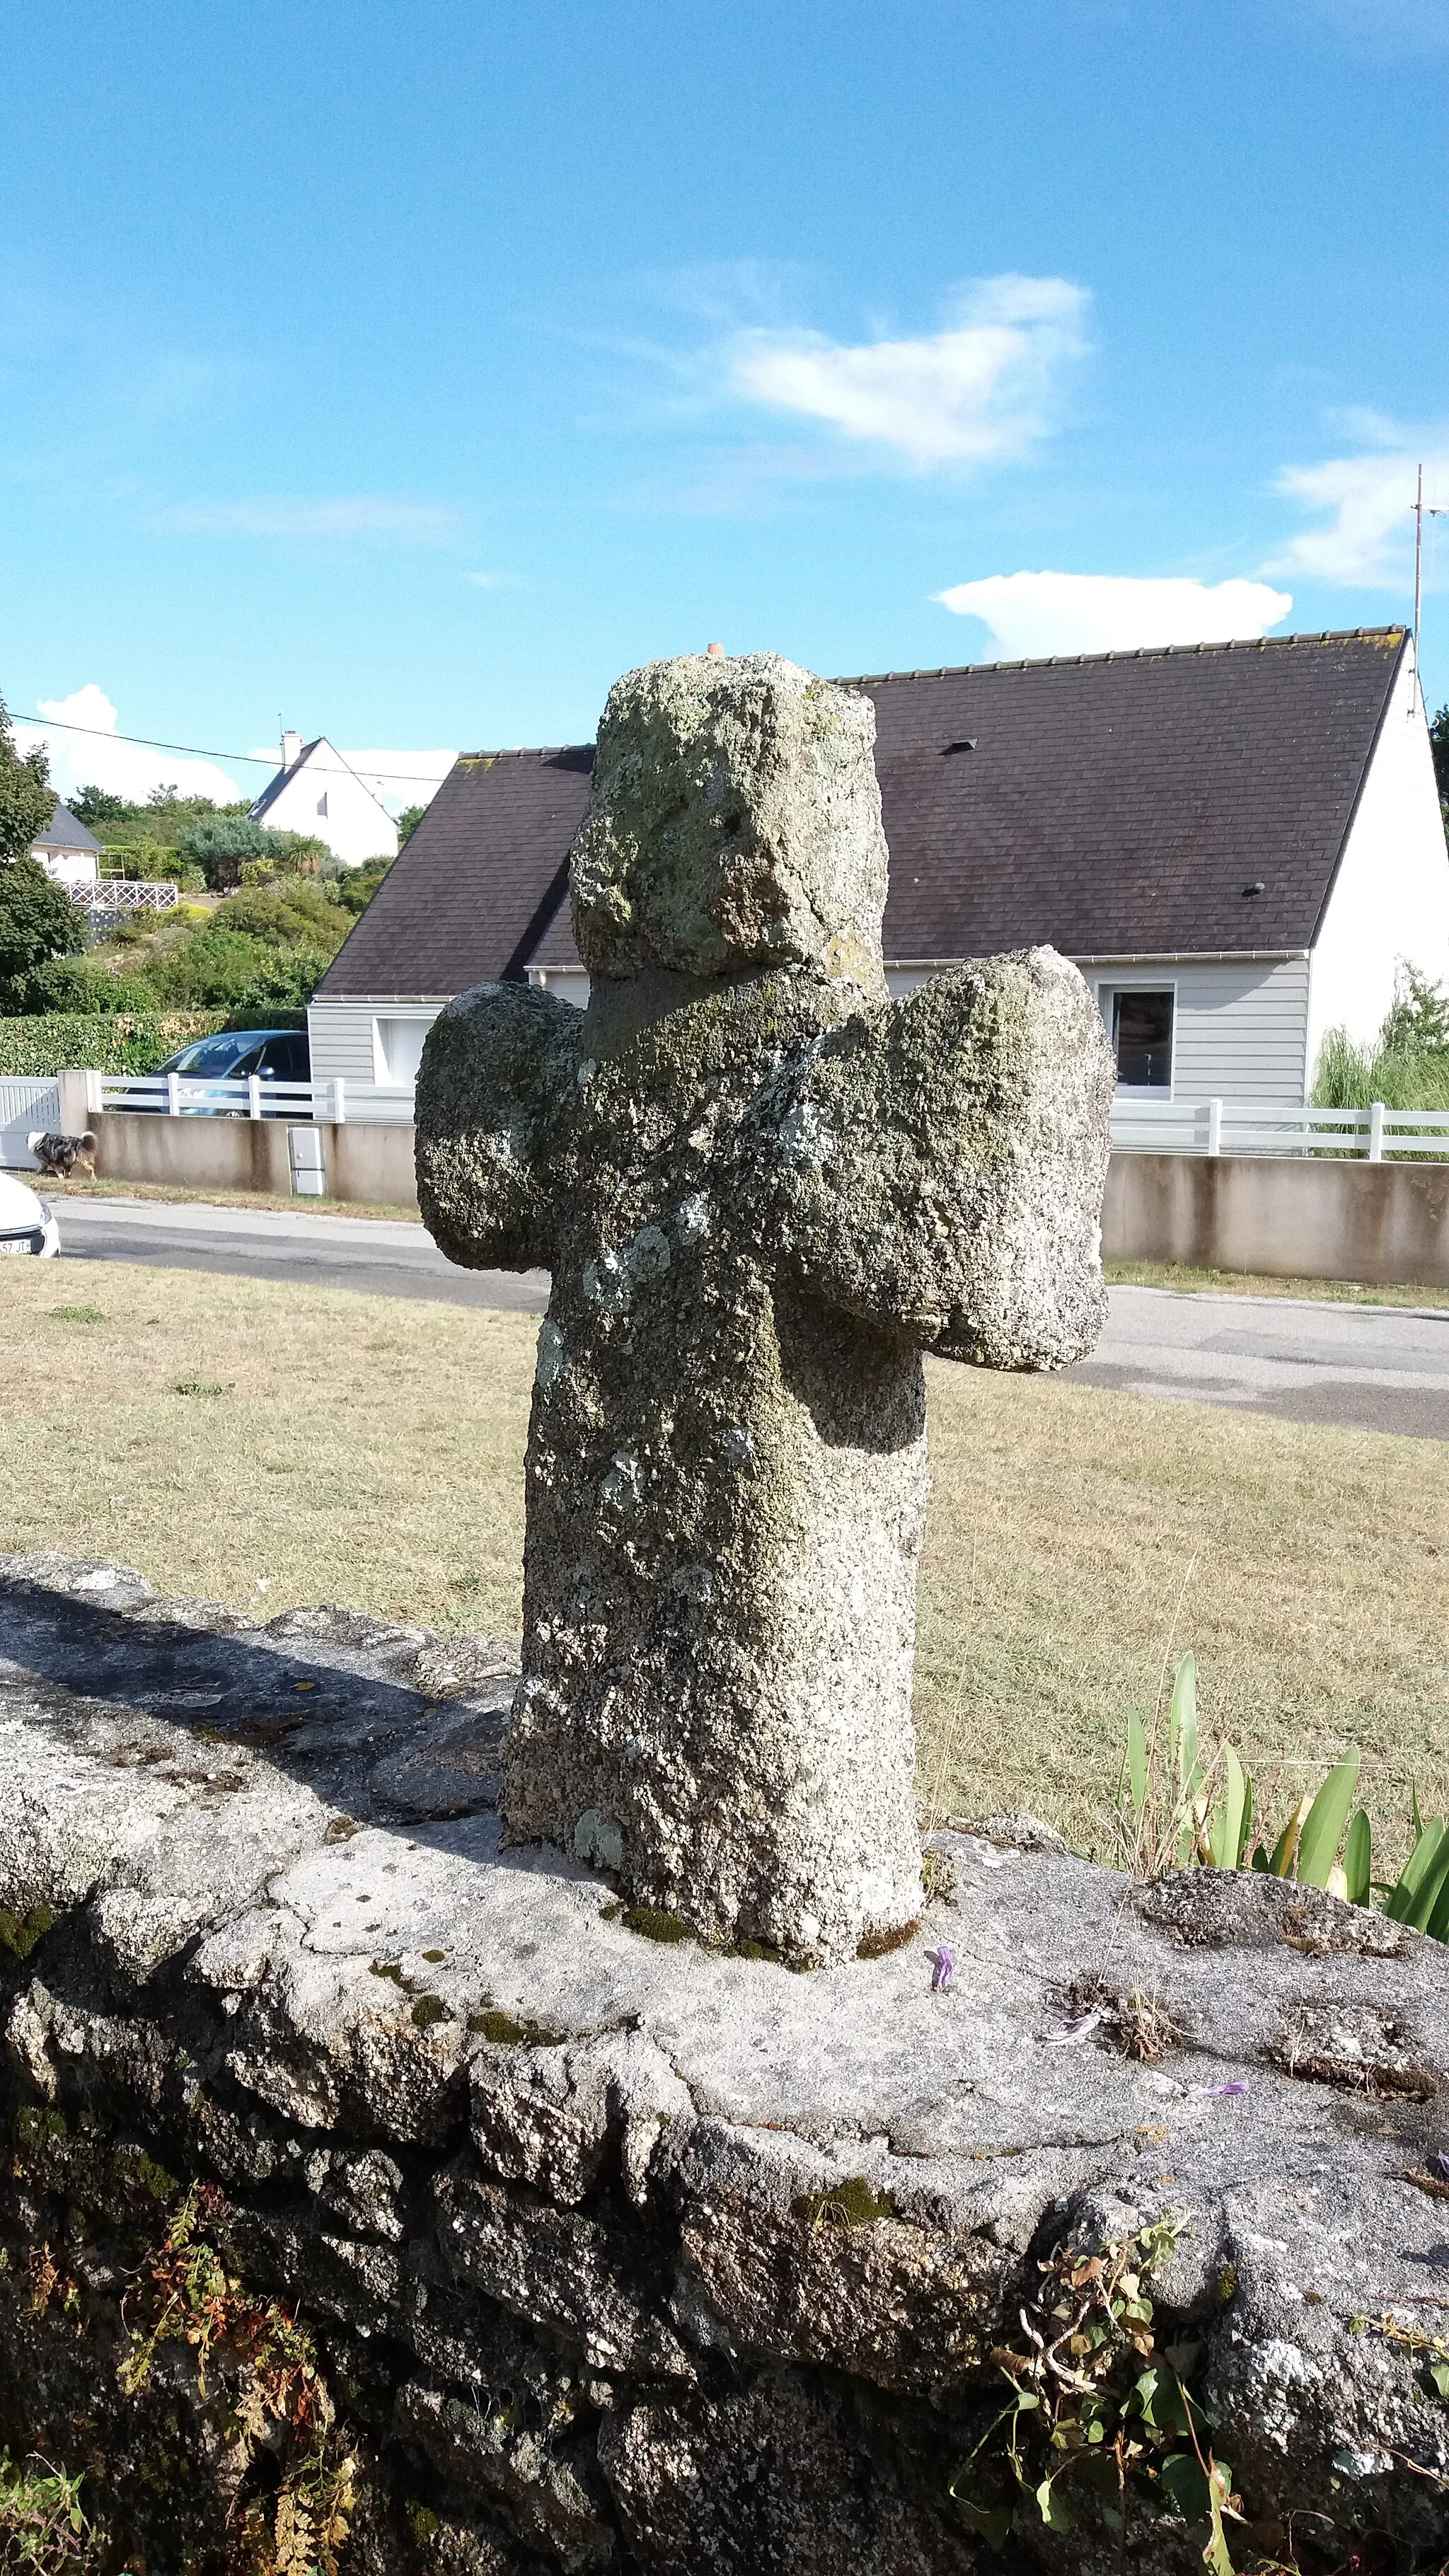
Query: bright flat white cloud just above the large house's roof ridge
(1035, 614)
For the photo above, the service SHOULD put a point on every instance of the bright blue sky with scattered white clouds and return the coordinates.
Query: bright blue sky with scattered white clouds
(406, 372)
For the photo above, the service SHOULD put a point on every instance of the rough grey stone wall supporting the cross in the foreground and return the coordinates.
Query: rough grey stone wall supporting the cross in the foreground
(388, 2201)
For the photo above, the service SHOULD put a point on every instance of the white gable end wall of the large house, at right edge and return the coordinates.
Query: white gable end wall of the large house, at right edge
(1394, 887)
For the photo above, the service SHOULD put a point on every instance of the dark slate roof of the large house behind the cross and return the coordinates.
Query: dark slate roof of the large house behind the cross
(1113, 805)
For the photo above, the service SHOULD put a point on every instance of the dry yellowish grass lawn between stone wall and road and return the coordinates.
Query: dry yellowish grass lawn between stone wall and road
(228, 1434)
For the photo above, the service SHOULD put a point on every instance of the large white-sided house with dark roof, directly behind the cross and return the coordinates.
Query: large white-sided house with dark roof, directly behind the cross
(1236, 844)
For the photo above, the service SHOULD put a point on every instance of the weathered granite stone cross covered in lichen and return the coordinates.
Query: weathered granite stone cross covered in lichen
(762, 1191)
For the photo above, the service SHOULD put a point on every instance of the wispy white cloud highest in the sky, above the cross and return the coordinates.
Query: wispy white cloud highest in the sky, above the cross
(973, 393)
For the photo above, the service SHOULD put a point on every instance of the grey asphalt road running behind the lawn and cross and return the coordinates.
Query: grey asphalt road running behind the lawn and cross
(1381, 1369)
